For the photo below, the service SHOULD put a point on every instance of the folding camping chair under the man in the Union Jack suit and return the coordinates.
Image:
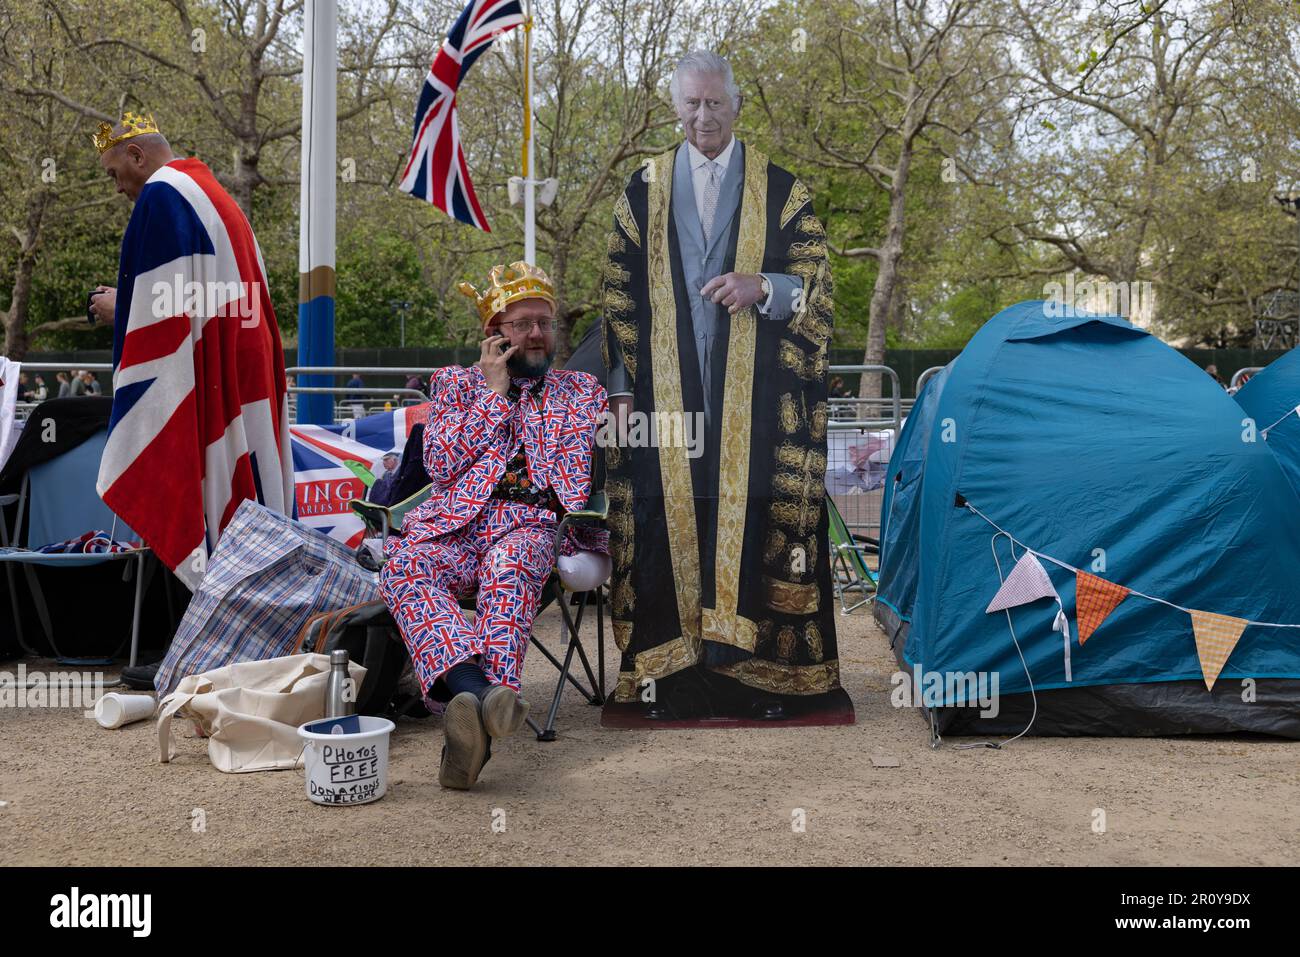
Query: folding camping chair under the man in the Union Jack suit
(384, 519)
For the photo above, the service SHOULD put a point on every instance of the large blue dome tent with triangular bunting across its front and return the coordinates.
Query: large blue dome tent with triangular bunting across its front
(1095, 444)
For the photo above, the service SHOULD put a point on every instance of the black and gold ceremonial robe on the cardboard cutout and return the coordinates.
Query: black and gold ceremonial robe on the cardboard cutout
(722, 560)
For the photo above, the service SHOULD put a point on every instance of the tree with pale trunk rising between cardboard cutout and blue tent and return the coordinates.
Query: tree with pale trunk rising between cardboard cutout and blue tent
(889, 83)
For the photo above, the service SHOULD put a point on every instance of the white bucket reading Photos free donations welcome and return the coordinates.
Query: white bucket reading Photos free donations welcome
(346, 759)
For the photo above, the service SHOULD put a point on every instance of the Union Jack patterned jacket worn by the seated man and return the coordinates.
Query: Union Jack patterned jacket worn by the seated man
(474, 434)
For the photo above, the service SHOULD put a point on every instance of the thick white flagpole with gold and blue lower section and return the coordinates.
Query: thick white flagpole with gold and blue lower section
(317, 207)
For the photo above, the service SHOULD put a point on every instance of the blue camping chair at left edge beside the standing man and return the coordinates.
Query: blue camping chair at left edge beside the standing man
(59, 501)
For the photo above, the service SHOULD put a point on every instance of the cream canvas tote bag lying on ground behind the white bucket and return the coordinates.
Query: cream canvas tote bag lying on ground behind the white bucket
(250, 712)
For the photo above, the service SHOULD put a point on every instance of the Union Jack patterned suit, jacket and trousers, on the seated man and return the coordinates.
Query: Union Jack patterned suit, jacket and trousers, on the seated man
(463, 539)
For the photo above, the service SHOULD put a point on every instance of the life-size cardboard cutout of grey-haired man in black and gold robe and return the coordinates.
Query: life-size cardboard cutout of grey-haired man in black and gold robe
(718, 302)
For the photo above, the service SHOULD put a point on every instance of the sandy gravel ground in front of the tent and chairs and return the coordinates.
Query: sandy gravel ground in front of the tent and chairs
(73, 794)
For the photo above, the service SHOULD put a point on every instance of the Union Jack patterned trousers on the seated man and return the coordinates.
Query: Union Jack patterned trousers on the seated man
(508, 555)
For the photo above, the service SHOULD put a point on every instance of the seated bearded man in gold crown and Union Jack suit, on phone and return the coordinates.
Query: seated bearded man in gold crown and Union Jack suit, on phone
(509, 449)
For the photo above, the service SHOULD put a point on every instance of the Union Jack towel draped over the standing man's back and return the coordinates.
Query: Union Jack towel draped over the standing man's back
(201, 412)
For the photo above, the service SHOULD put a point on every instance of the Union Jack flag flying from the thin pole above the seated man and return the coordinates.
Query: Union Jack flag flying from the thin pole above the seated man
(436, 171)
